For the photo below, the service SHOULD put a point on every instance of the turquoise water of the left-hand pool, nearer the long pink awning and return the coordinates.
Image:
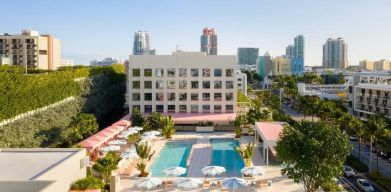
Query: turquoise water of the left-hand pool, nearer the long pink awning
(173, 154)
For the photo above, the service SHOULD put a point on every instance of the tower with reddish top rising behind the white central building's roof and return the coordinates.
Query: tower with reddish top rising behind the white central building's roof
(209, 41)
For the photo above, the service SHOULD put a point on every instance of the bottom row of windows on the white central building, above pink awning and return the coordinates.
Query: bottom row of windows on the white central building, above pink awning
(183, 108)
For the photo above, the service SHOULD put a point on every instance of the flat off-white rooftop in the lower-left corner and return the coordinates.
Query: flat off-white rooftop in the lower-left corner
(26, 164)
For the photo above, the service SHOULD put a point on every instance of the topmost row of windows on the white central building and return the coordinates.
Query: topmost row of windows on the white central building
(182, 72)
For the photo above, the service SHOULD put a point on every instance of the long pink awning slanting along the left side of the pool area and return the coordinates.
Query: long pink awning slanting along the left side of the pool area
(101, 137)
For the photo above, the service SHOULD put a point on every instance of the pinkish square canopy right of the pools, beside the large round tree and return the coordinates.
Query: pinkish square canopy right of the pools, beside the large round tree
(270, 130)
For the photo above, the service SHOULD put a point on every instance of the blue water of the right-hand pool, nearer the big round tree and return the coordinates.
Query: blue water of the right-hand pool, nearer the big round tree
(224, 154)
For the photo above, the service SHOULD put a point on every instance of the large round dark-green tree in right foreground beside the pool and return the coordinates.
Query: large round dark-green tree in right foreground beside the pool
(314, 153)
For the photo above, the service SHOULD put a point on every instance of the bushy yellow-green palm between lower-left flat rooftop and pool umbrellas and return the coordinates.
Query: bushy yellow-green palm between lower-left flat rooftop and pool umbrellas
(106, 165)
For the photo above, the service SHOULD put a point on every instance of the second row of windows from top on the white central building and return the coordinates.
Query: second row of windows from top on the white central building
(183, 84)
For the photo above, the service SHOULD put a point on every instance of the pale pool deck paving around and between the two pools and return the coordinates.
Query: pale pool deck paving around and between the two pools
(273, 172)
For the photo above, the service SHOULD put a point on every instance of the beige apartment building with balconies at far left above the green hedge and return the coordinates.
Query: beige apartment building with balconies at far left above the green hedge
(32, 50)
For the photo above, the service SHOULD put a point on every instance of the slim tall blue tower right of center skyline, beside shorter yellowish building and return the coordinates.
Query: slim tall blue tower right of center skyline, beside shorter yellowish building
(298, 56)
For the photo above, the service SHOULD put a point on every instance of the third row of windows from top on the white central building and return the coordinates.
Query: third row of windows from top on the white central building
(183, 97)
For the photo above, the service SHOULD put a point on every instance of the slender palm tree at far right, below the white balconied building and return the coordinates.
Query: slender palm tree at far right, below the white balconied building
(376, 127)
